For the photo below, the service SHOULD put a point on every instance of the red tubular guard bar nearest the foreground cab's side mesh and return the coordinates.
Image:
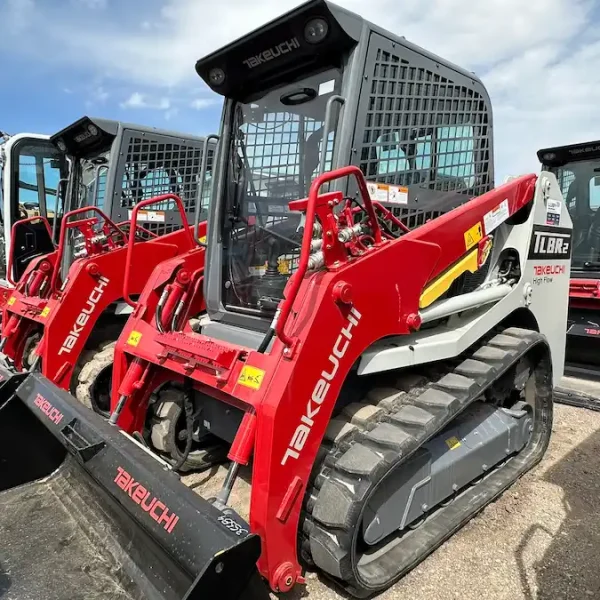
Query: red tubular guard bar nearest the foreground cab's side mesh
(286, 305)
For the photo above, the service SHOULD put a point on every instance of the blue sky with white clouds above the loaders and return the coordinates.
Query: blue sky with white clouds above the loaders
(133, 60)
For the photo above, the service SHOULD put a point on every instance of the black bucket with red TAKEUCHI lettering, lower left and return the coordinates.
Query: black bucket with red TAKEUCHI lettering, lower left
(88, 512)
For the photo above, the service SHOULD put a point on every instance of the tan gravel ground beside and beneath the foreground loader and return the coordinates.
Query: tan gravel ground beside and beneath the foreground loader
(540, 541)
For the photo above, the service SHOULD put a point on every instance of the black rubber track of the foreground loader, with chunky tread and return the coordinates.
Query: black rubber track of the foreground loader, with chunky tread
(368, 441)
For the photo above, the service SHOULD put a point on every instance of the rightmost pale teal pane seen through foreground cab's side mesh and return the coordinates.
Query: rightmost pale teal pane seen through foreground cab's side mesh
(455, 153)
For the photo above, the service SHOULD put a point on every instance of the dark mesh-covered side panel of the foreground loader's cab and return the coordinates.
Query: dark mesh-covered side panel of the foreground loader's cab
(423, 126)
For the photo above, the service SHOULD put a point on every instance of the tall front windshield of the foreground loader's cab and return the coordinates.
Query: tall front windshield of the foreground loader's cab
(275, 150)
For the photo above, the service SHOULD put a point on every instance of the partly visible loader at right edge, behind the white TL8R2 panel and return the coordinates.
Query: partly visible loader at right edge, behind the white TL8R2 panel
(577, 169)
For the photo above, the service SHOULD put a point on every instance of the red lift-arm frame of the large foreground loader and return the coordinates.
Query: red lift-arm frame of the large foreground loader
(288, 394)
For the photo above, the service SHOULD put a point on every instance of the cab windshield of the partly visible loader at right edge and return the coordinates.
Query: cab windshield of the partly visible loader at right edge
(580, 186)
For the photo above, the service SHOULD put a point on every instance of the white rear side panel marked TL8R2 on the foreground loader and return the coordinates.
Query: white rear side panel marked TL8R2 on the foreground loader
(542, 292)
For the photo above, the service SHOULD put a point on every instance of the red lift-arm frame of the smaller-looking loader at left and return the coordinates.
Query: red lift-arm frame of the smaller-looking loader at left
(41, 299)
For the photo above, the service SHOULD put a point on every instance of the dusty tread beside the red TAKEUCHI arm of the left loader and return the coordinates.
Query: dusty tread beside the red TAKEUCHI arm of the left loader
(93, 377)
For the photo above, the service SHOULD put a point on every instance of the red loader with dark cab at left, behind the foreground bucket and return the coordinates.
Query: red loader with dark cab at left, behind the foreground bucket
(68, 308)
